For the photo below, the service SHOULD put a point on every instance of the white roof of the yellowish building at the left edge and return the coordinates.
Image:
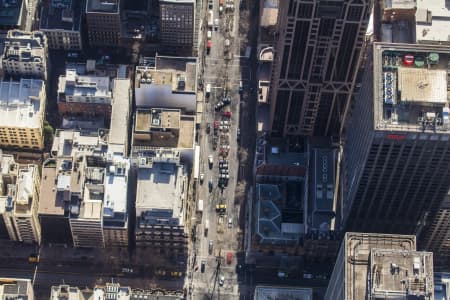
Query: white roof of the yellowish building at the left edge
(21, 103)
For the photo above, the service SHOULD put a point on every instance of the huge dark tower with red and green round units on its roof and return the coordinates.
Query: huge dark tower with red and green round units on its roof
(397, 150)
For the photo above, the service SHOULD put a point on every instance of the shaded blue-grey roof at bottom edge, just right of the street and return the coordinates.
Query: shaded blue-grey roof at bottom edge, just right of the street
(282, 293)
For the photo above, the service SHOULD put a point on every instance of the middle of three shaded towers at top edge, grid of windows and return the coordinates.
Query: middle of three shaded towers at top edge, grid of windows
(103, 22)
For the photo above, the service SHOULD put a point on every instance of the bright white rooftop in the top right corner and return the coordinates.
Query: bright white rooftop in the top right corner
(436, 27)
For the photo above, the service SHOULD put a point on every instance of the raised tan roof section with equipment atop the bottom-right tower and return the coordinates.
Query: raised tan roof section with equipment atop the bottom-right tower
(398, 273)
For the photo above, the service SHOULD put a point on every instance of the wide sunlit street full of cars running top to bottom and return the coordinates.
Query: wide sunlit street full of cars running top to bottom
(219, 234)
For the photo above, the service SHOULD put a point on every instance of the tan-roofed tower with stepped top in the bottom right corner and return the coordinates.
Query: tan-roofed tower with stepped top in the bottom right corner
(381, 266)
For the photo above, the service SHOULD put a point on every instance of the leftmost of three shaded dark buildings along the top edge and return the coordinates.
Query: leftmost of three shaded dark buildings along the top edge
(61, 22)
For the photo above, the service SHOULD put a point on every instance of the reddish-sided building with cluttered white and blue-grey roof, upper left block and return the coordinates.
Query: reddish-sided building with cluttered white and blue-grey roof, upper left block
(84, 94)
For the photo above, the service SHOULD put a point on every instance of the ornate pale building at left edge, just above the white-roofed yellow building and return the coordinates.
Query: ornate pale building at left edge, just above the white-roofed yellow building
(25, 54)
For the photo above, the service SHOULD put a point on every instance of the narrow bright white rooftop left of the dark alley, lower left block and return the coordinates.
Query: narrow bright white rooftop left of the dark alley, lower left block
(116, 182)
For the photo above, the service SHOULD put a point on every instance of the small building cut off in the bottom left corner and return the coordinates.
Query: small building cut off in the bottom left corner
(14, 288)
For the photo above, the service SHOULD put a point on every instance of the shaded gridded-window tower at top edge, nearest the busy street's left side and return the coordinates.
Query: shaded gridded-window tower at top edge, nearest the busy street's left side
(177, 25)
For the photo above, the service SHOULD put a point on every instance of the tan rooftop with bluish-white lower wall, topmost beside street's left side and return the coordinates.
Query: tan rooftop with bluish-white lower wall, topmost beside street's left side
(170, 83)
